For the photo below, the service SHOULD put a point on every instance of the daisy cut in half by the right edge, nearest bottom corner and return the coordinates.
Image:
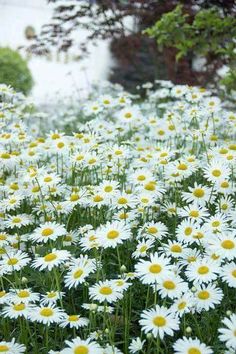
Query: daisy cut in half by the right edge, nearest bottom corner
(227, 333)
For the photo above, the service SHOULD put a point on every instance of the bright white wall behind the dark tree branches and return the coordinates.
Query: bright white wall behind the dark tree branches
(50, 76)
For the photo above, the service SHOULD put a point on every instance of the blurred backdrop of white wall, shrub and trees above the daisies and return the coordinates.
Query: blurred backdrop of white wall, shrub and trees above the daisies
(67, 45)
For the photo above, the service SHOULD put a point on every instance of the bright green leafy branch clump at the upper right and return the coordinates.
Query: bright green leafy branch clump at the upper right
(209, 33)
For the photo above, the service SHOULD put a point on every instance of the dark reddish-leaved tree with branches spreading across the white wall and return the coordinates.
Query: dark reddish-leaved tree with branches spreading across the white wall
(138, 57)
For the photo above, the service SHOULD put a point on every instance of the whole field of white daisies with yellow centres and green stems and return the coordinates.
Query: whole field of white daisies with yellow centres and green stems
(119, 237)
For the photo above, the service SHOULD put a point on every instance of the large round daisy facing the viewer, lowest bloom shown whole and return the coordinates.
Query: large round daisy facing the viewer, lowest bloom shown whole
(159, 321)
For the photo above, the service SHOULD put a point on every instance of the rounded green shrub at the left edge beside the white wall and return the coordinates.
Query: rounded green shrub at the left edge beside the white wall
(14, 71)
